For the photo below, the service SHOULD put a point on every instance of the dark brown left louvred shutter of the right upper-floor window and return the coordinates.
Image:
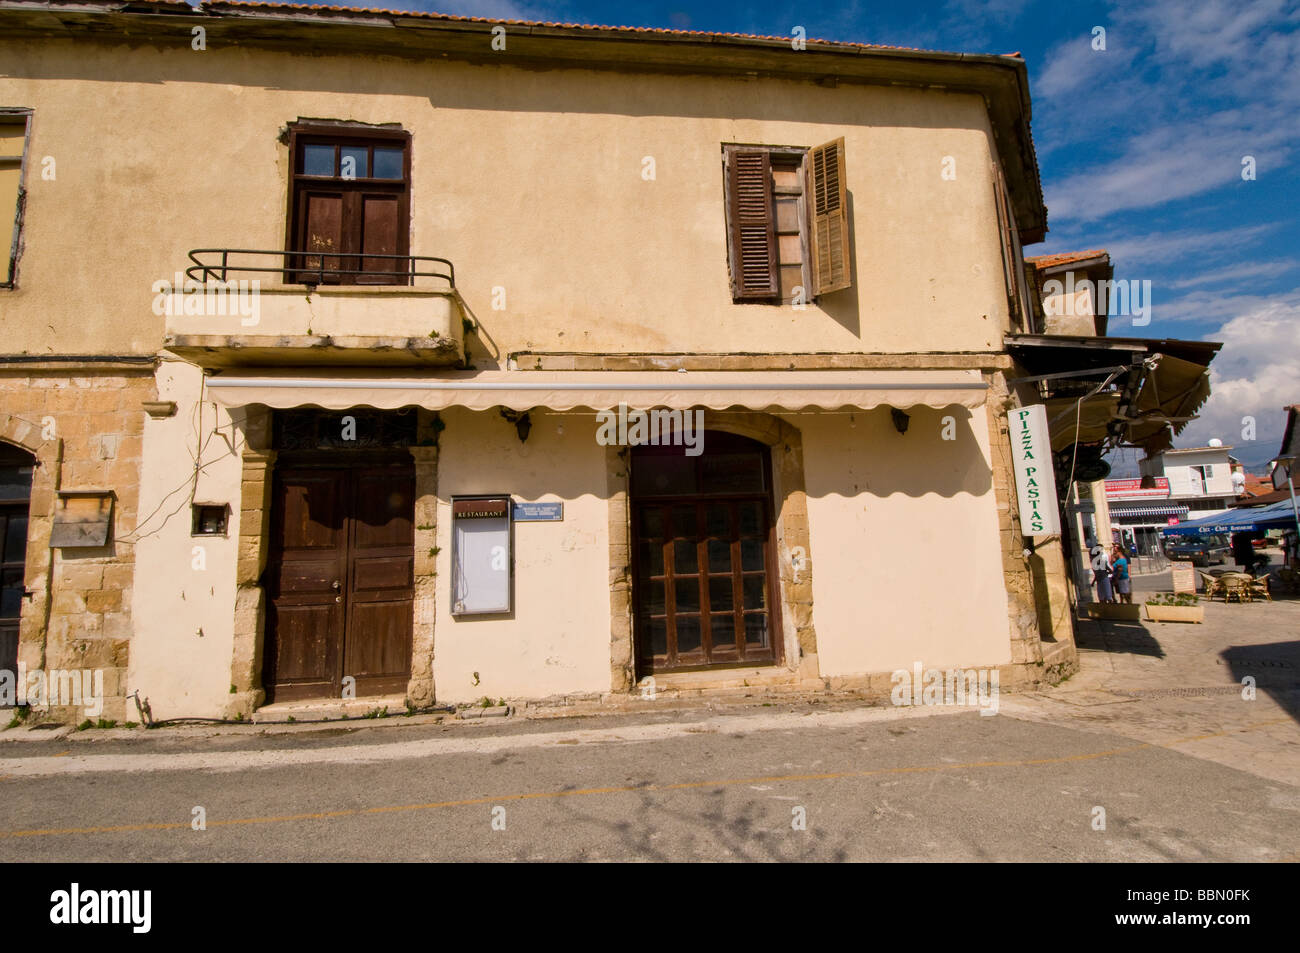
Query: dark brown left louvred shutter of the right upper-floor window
(753, 235)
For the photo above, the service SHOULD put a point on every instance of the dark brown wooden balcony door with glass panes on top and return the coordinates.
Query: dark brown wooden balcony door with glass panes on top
(349, 205)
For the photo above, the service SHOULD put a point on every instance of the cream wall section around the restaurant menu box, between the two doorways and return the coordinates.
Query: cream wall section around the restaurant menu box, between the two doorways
(557, 640)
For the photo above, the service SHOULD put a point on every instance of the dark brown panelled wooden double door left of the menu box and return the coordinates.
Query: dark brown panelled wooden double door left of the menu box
(341, 581)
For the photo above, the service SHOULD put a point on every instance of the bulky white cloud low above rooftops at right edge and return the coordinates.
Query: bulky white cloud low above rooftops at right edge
(1255, 375)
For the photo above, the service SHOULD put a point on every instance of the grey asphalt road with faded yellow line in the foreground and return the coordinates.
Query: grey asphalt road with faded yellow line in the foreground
(873, 786)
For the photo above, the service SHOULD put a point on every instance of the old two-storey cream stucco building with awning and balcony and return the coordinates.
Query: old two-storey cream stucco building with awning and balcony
(359, 449)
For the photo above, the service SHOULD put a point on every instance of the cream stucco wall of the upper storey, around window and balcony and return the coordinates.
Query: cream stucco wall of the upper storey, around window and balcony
(528, 181)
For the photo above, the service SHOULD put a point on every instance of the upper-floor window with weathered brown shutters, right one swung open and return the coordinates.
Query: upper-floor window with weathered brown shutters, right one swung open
(787, 223)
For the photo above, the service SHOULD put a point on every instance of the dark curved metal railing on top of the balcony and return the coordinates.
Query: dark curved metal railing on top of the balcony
(317, 268)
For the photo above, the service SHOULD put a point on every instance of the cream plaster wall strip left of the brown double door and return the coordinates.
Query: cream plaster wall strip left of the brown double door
(184, 616)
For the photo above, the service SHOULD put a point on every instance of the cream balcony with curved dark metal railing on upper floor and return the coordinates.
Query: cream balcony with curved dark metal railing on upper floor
(240, 307)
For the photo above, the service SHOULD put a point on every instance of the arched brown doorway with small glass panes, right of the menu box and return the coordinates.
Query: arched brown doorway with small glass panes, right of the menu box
(705, 588)
